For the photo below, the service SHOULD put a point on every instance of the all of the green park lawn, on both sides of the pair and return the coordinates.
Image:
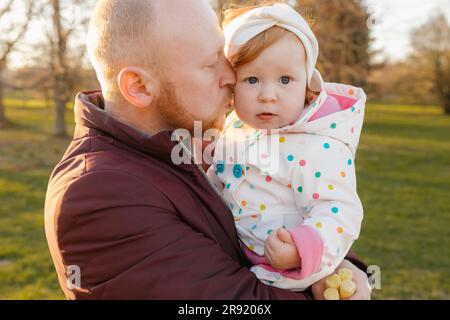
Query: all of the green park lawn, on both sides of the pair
(403, 179)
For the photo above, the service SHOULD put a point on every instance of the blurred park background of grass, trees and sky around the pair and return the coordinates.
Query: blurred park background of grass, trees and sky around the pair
(398, 51)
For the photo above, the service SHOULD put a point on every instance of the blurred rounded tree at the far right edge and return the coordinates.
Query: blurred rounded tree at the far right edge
(431, 56)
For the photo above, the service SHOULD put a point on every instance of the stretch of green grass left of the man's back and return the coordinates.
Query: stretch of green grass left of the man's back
(28, 152)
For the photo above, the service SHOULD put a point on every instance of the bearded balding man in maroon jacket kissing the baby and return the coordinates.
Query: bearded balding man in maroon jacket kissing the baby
(122, 220)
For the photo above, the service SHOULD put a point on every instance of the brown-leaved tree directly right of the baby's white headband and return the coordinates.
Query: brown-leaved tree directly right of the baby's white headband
(342, 31)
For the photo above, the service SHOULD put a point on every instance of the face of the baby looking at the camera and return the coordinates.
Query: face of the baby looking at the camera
(270, 90)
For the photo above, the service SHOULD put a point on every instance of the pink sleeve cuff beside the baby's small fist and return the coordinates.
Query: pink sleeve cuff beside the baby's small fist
(310, 249)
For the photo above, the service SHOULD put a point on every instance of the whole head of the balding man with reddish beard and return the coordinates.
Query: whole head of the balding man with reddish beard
(160, 63)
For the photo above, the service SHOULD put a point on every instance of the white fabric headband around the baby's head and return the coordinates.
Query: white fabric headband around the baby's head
(248, 25)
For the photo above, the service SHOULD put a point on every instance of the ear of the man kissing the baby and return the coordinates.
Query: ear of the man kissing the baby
(137, 86)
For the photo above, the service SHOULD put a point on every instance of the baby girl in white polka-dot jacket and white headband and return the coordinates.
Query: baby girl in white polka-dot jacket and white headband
(295, 204)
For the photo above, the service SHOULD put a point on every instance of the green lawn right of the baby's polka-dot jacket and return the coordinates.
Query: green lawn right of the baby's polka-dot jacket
(403, 166)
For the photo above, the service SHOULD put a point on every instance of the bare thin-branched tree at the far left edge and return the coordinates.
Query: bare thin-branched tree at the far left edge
(11, 35)
